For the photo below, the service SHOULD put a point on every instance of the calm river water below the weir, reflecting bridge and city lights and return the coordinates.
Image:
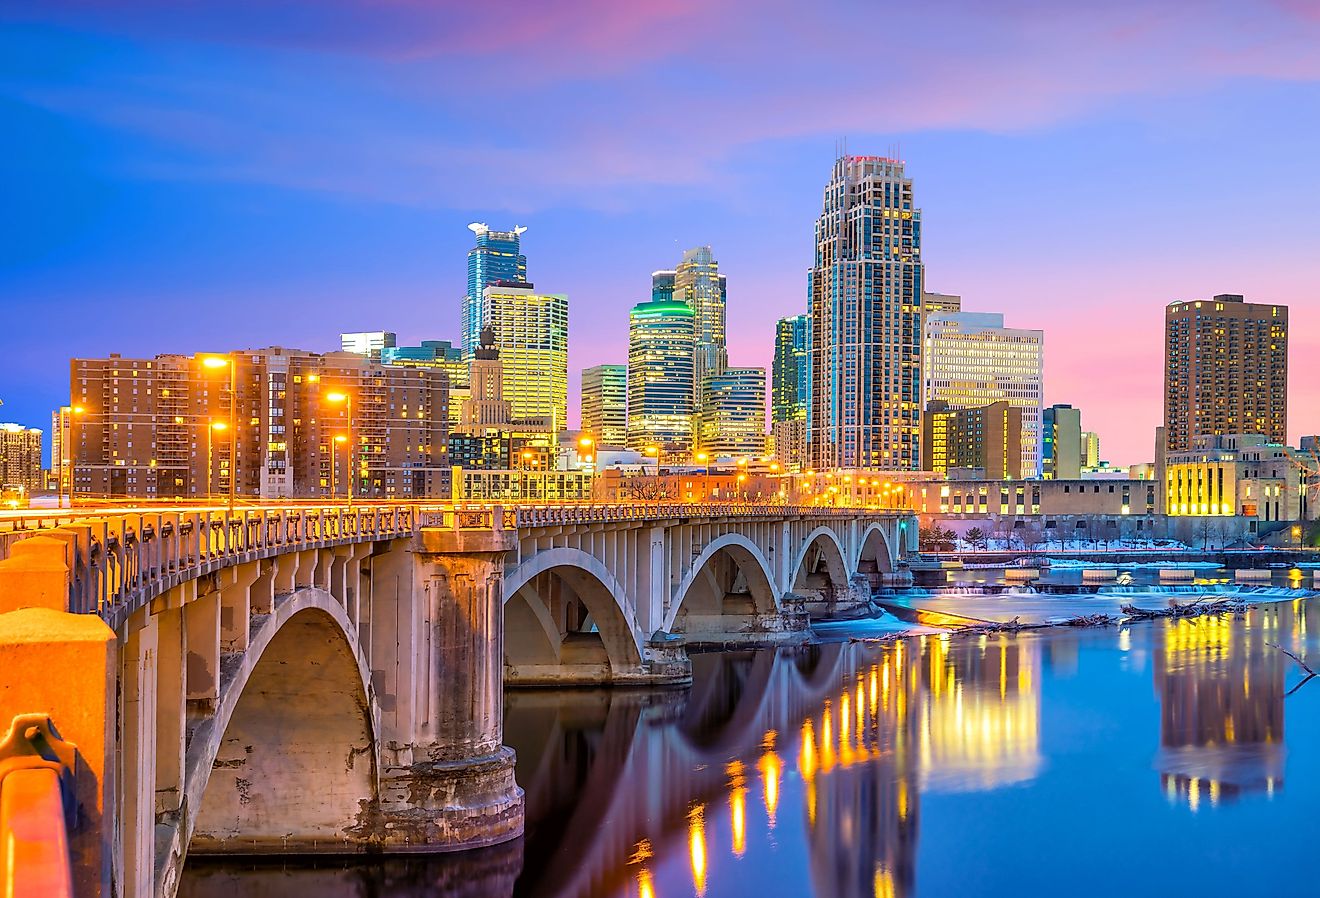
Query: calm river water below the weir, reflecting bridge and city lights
(935, 765)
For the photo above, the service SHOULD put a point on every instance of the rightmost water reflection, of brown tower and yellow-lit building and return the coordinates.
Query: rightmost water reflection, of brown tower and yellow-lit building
(1222, 693)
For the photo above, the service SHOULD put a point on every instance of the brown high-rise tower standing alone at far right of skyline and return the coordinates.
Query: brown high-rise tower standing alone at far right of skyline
(1226, 370)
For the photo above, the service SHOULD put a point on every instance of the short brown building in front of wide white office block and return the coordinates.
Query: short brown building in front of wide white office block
(987, 440)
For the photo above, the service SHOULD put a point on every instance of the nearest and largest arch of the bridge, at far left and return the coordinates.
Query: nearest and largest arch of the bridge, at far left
(291, 759)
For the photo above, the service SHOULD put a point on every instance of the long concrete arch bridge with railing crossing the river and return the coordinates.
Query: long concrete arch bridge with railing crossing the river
(331, 681)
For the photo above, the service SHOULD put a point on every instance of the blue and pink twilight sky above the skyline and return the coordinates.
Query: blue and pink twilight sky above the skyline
(208, 175)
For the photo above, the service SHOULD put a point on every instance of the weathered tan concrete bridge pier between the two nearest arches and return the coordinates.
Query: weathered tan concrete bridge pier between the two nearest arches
(449, 782)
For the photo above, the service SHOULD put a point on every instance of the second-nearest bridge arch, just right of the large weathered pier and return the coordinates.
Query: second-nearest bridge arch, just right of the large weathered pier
(564, 607)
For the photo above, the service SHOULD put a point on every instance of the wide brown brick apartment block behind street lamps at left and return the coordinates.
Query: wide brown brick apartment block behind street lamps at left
(162, 427)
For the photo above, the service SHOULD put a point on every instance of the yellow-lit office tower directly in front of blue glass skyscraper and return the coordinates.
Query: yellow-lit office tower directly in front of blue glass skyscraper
(533, 336)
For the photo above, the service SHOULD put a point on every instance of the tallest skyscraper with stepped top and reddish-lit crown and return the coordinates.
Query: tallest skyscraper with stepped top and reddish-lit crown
(867, 320)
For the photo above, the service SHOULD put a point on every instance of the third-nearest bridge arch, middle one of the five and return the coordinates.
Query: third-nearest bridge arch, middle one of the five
(731, 576)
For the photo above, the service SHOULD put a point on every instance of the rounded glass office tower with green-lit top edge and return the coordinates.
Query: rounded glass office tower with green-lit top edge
(661, 389)
